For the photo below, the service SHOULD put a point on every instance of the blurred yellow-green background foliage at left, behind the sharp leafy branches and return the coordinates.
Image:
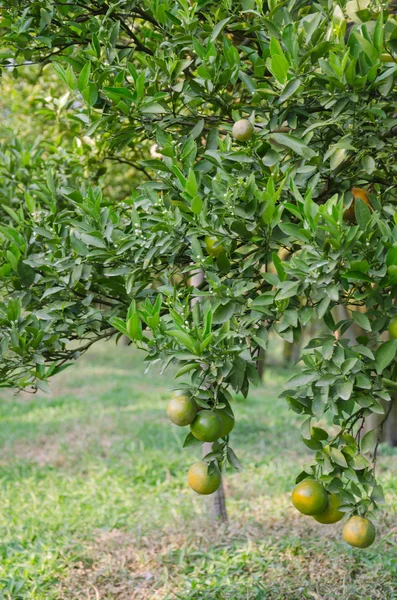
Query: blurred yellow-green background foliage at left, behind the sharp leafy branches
(44, 146)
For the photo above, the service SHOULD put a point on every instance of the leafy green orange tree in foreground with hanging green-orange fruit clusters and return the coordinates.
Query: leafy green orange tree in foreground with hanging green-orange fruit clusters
(272, 120)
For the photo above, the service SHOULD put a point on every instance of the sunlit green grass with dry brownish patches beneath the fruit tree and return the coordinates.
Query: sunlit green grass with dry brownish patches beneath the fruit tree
(95, 504)
